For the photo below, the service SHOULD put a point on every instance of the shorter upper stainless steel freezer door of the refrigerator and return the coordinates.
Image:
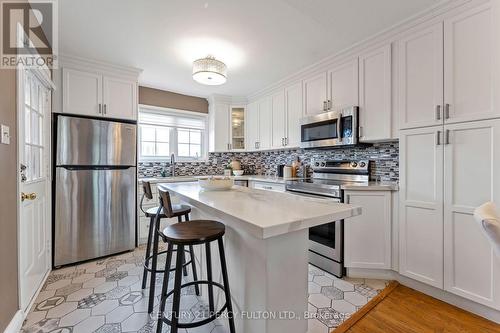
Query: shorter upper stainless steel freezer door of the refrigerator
(92, 142)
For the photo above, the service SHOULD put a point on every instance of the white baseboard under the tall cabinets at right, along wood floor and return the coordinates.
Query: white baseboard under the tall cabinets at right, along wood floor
(445, 296)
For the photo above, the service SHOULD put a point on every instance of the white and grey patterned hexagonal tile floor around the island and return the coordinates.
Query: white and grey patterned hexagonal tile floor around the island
(105, 296)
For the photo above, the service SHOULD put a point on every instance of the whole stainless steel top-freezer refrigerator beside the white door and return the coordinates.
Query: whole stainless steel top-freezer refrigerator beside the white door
(95, 188)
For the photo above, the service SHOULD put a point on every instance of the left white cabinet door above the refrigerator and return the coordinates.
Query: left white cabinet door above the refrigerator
(82, 92)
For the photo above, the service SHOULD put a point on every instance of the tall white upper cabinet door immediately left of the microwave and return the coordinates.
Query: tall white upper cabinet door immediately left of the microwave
(293, 104)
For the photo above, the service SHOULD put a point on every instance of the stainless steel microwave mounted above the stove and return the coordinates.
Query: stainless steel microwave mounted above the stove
(330, 129)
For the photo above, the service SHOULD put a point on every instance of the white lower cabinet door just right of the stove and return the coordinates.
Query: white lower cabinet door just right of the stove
(367, 237)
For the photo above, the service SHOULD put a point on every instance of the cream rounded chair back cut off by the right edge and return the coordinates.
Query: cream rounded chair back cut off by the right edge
(489, 222)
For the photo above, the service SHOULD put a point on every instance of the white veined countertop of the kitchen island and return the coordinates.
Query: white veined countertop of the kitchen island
(262, 213)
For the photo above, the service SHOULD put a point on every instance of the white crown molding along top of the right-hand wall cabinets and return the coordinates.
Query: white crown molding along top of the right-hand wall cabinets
(388, 35)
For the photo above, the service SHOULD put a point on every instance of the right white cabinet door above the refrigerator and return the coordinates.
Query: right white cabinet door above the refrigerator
(119, 98)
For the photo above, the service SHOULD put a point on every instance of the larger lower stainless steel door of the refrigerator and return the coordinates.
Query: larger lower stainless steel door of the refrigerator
(95, 213)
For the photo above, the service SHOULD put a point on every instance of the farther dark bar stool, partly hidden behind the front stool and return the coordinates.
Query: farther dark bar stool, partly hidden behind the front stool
(165, 210)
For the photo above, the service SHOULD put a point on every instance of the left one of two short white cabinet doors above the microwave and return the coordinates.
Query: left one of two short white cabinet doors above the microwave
(315, 89)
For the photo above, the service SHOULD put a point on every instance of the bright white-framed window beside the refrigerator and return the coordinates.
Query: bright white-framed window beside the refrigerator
(163, 132)
